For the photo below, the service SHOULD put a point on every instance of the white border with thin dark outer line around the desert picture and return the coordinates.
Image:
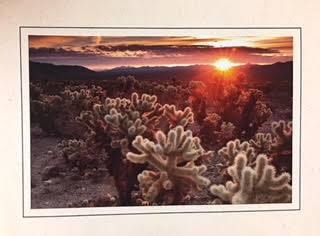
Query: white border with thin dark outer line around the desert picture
(295, 32)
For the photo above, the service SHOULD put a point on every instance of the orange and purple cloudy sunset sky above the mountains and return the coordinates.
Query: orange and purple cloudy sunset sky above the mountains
(100, 53)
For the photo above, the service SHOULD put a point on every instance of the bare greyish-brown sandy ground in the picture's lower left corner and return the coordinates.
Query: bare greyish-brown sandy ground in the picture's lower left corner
(63, 188)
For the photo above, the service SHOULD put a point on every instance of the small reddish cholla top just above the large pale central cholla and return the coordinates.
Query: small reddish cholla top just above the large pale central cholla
(177, 117)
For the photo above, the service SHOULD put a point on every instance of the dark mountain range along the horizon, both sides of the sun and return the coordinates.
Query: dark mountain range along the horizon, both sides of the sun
(272, 72)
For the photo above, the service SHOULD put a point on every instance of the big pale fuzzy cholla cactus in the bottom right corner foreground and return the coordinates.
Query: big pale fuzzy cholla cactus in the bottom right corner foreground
(254, 185)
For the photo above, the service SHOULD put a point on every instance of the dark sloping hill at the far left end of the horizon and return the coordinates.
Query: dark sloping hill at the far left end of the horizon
(41, 71)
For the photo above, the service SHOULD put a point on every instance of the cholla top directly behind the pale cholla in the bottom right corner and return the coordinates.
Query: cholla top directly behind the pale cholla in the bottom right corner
(233, 148)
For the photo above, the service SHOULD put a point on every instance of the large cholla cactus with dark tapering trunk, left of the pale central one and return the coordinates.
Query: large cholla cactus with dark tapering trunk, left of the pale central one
(113, 126)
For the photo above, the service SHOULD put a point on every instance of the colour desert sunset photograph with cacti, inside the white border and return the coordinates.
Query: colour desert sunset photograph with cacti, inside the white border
(186, 119)
